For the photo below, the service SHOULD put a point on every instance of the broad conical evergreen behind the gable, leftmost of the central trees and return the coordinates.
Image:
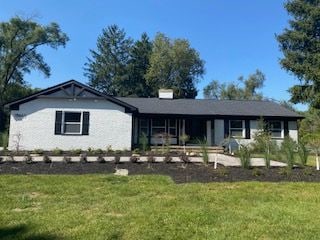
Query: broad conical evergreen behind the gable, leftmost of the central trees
(107, 69)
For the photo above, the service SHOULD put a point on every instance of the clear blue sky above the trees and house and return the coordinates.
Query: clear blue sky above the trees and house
(234, 38)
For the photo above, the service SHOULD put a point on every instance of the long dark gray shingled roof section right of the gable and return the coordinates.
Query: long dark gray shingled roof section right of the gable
(209, 107)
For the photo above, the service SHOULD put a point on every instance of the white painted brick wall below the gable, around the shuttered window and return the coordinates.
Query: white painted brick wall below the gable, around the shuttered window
(35, 121)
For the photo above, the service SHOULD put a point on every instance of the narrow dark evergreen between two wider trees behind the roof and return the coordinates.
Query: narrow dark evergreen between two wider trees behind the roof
(138, 65)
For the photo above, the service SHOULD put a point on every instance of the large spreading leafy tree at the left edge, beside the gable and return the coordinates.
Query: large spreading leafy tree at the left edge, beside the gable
(20, 40)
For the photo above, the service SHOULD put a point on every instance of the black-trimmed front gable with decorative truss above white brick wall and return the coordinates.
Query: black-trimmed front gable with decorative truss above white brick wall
(70, 89)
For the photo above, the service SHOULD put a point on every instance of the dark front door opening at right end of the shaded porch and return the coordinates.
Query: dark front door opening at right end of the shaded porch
(195, 129)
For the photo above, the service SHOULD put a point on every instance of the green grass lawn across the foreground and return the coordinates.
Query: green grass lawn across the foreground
(153, 207)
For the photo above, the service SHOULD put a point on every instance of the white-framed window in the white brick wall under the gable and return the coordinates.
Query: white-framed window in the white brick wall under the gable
(72, 123)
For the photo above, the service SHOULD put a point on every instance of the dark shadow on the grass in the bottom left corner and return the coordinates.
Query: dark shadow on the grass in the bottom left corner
(24, 232)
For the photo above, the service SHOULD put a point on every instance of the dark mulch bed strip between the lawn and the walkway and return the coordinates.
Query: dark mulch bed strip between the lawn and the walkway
(179, 172)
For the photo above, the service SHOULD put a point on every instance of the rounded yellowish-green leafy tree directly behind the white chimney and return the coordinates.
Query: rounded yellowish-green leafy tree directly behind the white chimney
(174, 64)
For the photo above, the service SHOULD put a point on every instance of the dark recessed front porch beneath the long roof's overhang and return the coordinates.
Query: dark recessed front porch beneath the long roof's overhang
(196, 128)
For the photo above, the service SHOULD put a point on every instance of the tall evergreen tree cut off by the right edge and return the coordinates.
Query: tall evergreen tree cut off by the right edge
(300, 44)
